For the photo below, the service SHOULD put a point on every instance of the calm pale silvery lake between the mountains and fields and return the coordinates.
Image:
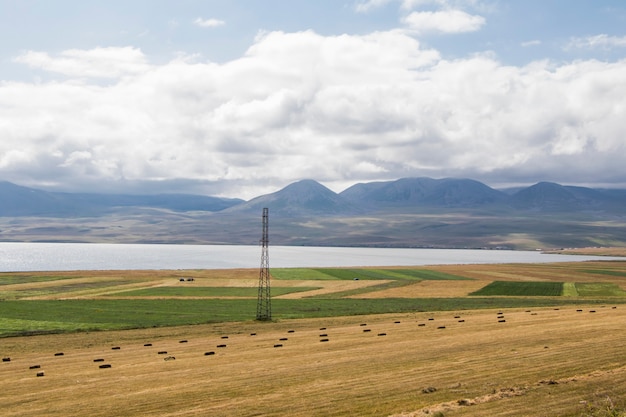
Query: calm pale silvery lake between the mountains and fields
(91, 256)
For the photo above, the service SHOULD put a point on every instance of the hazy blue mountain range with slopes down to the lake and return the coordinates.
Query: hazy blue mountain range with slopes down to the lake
(408, 212)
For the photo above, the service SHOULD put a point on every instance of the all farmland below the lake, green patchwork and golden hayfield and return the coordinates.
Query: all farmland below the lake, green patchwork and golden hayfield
(370, 342)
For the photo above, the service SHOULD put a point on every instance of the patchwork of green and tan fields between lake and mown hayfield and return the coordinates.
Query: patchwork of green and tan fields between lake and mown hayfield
(80, 301)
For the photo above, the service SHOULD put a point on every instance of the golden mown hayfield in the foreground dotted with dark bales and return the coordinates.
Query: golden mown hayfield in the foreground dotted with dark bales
(354, 373)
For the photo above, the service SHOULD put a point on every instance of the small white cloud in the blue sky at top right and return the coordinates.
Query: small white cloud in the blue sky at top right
(446, 21)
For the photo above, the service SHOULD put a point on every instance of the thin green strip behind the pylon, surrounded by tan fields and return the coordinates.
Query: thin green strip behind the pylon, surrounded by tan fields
(207, 291)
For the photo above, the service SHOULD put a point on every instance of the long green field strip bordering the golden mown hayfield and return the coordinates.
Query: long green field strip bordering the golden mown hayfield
(24, 317)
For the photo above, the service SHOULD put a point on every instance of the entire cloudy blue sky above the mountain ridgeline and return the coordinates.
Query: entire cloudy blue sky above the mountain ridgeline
(239, 98)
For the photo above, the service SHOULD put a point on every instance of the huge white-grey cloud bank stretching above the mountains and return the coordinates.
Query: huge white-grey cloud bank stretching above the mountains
(302, 105)
